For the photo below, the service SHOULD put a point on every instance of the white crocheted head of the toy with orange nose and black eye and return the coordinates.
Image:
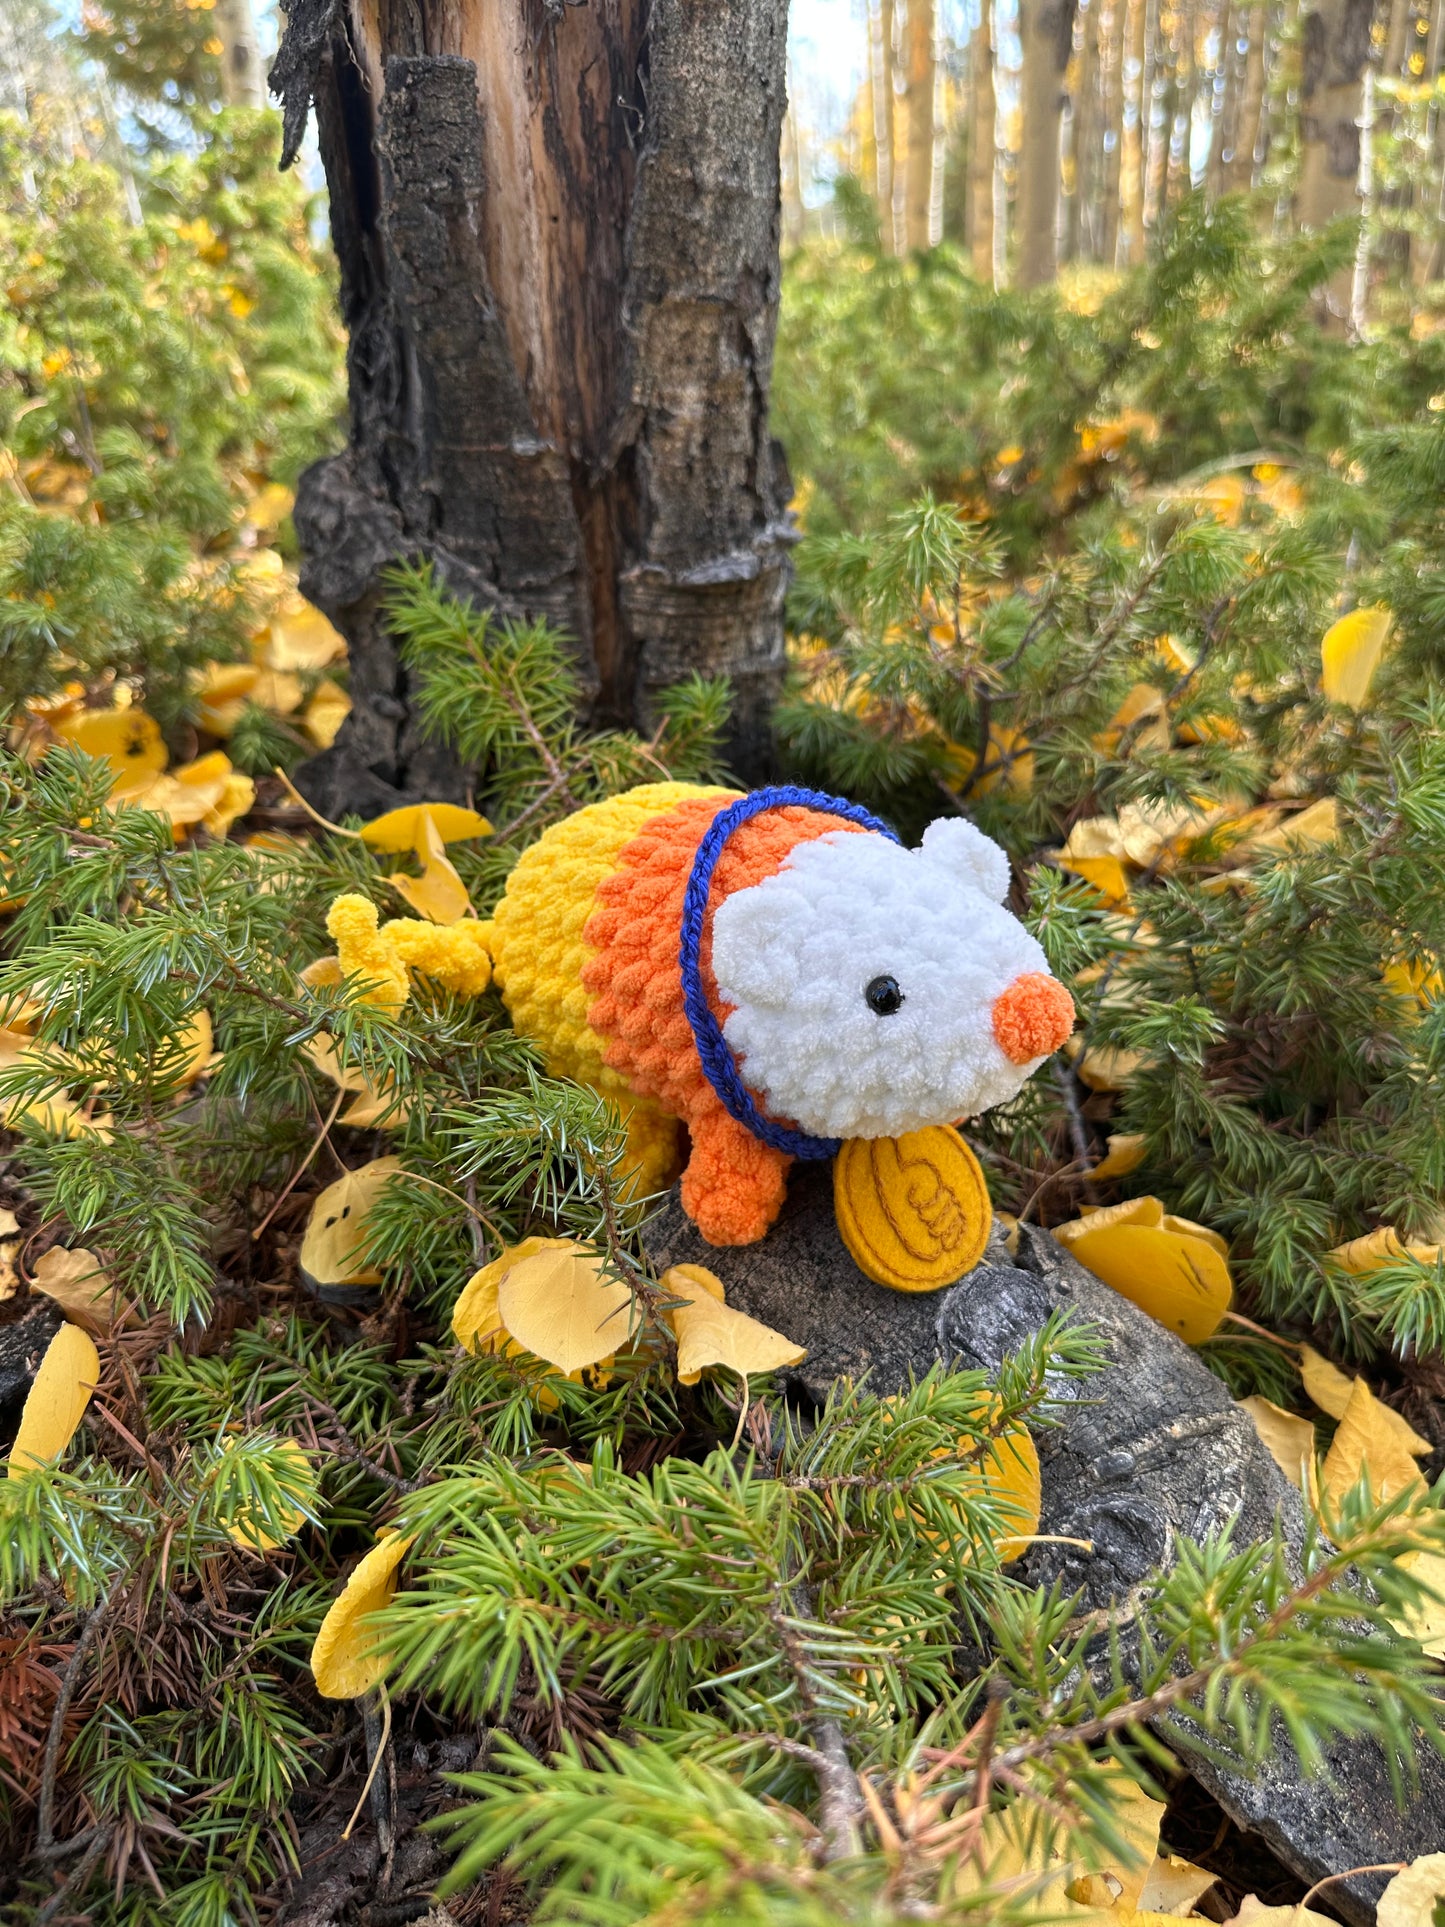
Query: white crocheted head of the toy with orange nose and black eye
(870, 984)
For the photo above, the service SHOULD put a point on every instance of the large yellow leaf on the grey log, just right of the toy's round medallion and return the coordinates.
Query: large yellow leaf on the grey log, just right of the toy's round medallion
(1169, 1267)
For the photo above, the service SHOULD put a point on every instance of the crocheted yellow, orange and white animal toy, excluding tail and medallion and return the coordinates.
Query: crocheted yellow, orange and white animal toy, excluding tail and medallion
(774, 970)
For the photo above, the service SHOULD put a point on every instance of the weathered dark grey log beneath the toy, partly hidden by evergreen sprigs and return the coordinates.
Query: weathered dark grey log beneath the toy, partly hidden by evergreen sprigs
(1147, 1450)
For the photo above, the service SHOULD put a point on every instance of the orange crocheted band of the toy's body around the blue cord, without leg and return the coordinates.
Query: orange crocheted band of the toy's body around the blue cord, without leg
(635, 972)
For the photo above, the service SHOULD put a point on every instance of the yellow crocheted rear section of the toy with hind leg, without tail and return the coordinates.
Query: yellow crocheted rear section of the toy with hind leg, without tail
(539, 955)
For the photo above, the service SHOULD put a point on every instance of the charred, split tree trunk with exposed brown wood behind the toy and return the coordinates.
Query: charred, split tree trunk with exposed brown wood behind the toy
(558, 230)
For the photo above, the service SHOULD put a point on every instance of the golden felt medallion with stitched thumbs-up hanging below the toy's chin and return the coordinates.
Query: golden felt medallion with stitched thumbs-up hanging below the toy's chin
(912, 1211)
